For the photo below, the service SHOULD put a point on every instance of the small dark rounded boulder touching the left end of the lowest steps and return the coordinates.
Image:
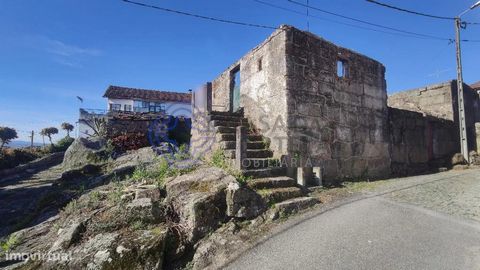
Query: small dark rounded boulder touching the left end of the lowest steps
(243, 202)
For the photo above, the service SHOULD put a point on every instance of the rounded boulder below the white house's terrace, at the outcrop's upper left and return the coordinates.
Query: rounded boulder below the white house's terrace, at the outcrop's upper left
(83, 152)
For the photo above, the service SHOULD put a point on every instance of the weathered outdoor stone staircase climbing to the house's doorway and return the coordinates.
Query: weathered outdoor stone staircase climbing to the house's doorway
(267, 177)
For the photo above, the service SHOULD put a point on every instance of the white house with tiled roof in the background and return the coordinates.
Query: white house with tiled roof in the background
(143, 100)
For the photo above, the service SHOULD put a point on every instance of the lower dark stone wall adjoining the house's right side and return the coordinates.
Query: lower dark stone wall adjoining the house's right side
(420, 143)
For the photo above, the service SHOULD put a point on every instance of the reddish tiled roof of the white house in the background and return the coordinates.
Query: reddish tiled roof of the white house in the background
(120, 92)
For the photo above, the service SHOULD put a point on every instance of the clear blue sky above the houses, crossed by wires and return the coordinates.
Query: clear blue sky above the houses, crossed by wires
(54, 50)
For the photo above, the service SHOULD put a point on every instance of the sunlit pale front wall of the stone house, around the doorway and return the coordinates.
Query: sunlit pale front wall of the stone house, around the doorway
(262, 89)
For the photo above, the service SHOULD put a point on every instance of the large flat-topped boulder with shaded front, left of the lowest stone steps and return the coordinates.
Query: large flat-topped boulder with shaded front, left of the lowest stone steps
(199, 200)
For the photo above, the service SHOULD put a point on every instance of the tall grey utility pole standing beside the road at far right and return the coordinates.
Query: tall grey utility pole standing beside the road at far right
(461, 102)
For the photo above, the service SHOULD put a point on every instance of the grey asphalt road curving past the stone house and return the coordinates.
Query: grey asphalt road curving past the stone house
(377, 232)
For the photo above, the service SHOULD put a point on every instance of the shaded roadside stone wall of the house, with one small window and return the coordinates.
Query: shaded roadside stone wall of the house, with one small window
(339, 123)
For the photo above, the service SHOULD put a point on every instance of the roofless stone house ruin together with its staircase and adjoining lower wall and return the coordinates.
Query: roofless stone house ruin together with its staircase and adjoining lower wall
(318, 108)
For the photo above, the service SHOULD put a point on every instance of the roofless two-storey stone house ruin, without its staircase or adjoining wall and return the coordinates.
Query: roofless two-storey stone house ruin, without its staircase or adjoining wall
(317, 105)
